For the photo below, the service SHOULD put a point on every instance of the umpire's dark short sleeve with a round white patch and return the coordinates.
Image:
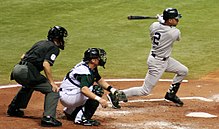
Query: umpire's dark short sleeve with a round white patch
(52, 54)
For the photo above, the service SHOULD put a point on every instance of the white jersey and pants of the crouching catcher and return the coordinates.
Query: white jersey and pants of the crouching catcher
(71, 96)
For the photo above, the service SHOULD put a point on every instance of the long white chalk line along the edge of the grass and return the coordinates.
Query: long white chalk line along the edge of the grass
(108, 80)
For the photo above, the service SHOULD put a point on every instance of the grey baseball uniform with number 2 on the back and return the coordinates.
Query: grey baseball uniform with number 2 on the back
(159, 60)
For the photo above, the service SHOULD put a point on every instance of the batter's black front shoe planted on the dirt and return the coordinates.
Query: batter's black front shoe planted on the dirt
(172, 97)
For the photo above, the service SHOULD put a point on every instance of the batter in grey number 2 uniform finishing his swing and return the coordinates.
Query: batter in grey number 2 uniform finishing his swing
(163, 34)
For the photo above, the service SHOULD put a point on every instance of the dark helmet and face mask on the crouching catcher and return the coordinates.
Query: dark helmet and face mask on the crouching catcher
(95, 53)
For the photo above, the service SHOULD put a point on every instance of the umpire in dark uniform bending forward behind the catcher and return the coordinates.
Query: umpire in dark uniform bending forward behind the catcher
(39, 58)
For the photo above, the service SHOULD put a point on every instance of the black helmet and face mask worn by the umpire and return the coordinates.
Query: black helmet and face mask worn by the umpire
(58, 32)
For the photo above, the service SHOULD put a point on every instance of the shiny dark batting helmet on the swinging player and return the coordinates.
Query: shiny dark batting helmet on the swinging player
(171, 13)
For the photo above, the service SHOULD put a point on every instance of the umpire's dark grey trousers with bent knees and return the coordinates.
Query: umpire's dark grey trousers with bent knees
(31, 80)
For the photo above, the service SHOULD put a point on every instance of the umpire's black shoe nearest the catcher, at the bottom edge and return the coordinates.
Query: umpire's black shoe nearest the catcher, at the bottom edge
(48, 121)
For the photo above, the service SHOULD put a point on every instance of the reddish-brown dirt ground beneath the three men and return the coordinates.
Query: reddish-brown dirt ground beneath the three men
(144, 112)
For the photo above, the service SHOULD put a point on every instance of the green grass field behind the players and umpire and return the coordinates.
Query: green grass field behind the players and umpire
(103, 23)
